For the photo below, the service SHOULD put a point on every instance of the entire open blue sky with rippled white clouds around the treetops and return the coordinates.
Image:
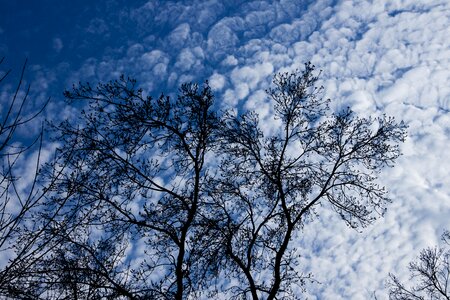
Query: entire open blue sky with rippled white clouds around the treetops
(377, 56)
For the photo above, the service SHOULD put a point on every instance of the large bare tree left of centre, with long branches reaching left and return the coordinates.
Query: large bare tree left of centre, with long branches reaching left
(134, 181)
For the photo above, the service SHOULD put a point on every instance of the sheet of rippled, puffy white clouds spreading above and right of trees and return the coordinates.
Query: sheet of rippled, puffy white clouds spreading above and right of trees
(377, 56)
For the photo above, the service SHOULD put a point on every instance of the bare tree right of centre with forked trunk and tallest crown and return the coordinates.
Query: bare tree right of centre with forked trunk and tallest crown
(271, 186)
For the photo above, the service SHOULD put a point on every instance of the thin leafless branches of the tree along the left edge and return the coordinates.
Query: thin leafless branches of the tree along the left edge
(18, 242)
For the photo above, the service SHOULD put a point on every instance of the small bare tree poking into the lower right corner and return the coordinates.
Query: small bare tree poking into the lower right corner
(431, 273)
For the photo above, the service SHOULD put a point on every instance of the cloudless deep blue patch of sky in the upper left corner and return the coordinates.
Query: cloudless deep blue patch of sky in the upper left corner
(50, 32)
